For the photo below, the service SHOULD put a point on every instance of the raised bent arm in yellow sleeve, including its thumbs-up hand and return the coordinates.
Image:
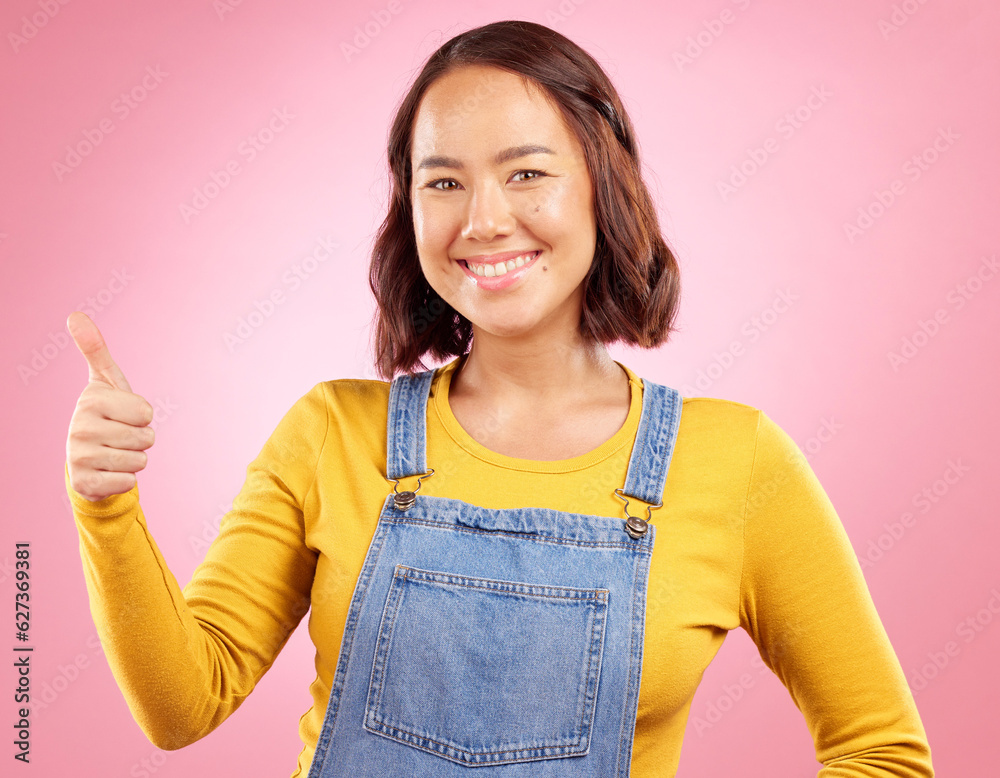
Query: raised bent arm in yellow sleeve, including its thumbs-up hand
(185, 660)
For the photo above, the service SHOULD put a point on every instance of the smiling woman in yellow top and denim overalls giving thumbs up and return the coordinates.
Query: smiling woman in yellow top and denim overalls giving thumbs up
(524, 560)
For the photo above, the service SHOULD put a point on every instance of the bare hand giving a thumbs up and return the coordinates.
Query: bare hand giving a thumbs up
(109, 431)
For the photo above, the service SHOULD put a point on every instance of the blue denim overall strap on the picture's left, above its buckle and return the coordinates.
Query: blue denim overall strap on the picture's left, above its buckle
(406, 453)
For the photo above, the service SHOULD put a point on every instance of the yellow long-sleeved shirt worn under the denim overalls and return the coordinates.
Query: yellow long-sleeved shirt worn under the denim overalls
(746, 538)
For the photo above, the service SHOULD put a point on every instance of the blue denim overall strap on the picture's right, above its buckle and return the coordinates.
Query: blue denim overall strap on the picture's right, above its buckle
(654, 442)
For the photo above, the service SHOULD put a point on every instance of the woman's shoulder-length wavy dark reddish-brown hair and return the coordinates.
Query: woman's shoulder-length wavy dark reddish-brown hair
(633, 285)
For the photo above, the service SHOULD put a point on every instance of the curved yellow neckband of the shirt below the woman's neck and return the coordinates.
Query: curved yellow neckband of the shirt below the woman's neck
(624, 436)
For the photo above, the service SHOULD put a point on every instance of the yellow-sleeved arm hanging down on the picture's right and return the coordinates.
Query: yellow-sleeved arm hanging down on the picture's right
(805, 603)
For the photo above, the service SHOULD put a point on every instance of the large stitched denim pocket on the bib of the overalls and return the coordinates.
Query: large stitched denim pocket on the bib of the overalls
(486, 672)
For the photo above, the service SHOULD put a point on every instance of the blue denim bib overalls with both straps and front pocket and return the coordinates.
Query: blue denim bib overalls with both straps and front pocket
(500, 643)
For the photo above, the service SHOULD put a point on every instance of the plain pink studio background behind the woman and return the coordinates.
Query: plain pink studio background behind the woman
(877, 434)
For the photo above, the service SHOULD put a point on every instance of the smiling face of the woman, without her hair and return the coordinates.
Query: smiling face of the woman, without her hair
(503, 207)
